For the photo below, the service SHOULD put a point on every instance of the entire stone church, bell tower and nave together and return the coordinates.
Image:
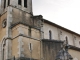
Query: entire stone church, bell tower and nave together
(24, 36)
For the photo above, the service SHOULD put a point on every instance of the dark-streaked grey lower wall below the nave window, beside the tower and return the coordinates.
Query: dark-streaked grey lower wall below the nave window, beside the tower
(51, 48)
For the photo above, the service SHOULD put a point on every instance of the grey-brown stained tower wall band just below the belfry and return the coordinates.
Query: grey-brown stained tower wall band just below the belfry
(25, 18)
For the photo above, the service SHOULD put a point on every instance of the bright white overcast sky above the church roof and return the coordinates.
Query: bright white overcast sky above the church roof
(65, 13)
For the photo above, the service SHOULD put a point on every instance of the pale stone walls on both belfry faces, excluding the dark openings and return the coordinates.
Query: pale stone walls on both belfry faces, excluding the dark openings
(14, 3)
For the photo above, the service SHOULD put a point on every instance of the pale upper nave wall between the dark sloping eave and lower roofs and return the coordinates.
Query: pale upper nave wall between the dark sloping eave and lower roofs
(60, 34)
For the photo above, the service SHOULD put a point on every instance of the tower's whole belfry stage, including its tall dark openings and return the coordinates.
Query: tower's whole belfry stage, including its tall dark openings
(25, 5)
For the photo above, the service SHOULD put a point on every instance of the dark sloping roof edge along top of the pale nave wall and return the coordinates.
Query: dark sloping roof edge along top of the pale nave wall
(58, 26)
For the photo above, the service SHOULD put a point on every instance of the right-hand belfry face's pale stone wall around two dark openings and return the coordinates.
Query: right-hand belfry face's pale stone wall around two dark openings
(29, 5)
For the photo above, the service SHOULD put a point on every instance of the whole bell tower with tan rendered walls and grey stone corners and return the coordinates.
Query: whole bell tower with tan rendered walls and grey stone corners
(20, 31)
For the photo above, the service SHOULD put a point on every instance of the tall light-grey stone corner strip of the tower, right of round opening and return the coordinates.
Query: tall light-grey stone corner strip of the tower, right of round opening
(8, 32)
